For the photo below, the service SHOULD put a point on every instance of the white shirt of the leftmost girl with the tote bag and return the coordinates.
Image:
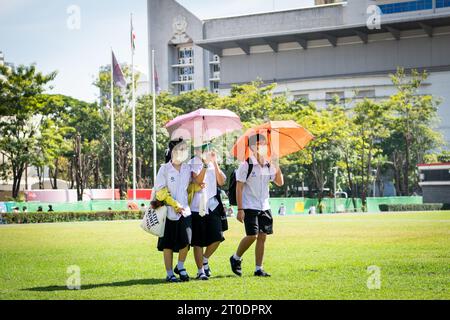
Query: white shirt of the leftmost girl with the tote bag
(177, 183)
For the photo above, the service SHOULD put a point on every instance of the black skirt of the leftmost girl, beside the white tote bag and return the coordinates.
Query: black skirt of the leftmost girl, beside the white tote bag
(177, 234)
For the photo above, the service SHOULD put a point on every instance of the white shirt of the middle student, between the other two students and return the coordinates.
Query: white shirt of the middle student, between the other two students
(211, 185)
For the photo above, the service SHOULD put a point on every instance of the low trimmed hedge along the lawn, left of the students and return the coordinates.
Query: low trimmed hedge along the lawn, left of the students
(46, 217)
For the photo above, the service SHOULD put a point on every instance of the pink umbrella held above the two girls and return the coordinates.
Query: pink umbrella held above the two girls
(204, 125)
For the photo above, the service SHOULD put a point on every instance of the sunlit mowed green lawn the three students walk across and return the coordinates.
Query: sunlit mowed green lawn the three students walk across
(310, 257)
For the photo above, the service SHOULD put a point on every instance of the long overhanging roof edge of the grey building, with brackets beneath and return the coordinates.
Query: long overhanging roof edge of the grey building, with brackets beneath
(427, 22)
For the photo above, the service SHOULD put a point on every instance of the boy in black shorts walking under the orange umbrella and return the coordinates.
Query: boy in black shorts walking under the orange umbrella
(252, 192)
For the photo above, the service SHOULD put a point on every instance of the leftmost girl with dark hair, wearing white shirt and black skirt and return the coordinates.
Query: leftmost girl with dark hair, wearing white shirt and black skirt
(175, 176)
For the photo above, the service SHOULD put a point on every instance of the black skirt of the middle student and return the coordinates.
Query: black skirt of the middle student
(206, 230)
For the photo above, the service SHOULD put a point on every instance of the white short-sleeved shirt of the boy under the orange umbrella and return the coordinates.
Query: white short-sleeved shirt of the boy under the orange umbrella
(255, 194)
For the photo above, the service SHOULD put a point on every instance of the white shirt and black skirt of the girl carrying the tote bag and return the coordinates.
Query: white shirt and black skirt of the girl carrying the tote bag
(178, 229)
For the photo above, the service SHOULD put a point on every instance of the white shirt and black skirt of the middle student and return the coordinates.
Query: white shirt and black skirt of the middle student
(208, 229)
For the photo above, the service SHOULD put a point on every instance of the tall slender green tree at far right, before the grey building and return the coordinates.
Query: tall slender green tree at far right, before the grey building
(412, 128)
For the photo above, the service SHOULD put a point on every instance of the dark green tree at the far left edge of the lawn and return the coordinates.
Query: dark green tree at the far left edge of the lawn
(21, 99)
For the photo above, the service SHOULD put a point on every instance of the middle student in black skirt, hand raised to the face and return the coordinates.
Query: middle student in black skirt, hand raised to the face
(206, 209)
